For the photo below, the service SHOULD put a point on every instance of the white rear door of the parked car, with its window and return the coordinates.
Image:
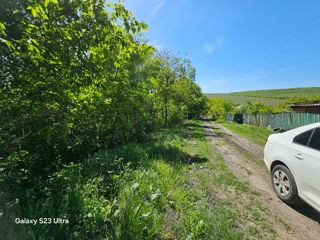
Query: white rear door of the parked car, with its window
(306, 158)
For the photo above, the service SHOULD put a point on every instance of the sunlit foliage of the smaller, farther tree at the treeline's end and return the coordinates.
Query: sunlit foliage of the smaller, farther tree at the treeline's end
(175, 96)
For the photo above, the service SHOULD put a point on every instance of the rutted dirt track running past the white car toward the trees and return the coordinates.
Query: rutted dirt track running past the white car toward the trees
(290, 223)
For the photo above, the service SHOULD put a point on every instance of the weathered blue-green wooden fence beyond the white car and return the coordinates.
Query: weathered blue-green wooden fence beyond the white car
(286, 121)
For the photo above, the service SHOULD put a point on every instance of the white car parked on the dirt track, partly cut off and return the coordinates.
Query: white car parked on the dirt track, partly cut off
(293, 158)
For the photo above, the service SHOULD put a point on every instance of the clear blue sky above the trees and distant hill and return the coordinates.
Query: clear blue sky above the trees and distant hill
(238, 45)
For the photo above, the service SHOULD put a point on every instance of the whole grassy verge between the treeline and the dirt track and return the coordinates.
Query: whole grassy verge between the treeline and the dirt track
(170, 187)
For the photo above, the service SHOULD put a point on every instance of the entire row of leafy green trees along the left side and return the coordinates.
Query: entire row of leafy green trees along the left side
(76, 77)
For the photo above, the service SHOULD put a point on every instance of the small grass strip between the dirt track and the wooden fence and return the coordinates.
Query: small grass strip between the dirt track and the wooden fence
(256, 134)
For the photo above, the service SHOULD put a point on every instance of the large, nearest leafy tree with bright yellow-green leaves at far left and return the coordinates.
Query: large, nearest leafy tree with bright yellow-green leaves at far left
(65, 65)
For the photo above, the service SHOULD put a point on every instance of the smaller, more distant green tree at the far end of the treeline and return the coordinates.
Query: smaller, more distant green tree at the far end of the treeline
(175, 86)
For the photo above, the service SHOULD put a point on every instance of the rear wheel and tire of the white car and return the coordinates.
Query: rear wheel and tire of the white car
(284, 185)
